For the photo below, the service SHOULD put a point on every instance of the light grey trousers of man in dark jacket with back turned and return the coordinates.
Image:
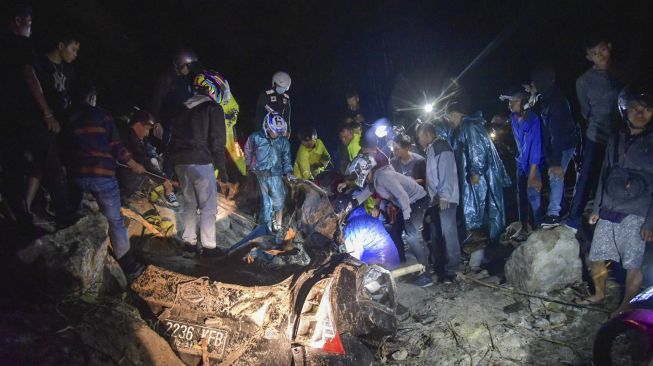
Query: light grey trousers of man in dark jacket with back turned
(199, 192)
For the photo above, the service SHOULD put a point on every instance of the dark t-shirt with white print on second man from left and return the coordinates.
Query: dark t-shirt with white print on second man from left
(56, 81)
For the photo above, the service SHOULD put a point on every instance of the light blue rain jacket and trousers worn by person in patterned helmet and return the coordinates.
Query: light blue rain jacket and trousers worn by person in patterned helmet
(269, 160)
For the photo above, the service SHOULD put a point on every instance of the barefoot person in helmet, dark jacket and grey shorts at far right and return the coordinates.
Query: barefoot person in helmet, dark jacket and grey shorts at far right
(623, 206)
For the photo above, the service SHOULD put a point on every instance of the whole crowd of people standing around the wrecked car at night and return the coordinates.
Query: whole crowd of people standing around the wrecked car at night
(54, 135)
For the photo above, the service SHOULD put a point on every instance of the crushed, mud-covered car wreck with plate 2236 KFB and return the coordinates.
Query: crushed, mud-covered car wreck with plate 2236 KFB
(329, 312)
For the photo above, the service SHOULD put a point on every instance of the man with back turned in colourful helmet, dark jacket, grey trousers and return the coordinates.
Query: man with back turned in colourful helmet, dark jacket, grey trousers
(196, 150)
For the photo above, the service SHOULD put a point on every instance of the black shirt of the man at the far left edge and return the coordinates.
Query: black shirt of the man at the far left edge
(15, 96)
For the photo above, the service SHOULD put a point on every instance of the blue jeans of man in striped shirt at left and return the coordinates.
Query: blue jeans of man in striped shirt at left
(106, 192)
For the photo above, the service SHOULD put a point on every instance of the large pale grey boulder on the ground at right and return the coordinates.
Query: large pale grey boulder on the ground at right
(547, 261)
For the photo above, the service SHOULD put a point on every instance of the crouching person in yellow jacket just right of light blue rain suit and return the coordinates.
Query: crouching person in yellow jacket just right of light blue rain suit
(312, 156)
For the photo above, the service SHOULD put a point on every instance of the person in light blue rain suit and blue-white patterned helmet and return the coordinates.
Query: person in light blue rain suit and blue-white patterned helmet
(267, 154)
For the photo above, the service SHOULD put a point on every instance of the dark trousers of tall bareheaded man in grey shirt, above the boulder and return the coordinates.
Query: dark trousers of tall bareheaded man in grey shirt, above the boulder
(586, 180)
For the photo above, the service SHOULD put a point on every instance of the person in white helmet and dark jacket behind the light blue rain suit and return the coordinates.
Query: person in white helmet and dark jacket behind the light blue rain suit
(276, 100)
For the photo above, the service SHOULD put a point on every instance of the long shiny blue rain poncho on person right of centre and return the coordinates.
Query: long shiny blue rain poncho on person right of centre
(476, 155)
